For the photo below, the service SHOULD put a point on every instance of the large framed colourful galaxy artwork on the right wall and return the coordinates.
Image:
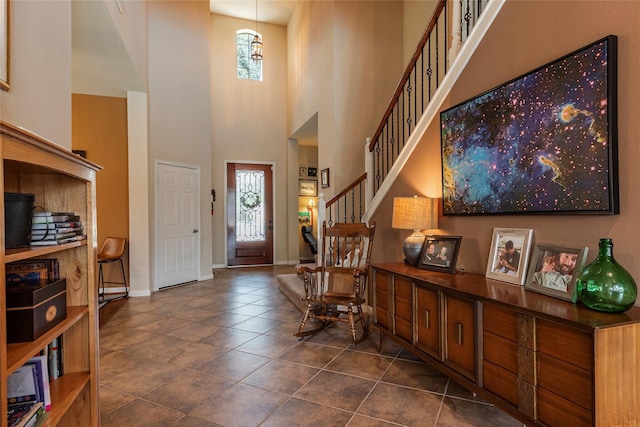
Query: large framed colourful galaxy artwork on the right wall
(545, 142)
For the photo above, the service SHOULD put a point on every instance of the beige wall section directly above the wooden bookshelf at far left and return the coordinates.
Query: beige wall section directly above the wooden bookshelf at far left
(40, 73)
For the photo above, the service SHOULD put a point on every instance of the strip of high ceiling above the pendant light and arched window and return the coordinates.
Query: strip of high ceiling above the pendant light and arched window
(270, 11)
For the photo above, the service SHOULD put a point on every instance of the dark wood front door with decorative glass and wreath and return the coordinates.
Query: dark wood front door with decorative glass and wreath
(249, 214)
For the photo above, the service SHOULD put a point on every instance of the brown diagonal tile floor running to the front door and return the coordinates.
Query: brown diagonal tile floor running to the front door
(222, 353)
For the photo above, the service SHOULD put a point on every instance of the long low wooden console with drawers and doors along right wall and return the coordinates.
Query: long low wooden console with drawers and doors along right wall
(543, 360)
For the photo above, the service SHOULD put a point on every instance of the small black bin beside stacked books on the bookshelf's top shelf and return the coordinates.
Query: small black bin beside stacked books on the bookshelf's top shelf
(18, 214)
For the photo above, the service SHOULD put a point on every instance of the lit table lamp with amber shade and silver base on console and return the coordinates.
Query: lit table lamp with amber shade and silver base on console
(413, 213)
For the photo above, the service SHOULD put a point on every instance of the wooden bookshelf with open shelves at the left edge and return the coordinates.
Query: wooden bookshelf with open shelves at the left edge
(60, 181)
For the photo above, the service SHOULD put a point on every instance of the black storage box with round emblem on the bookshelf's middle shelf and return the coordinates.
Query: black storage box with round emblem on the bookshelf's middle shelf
(34, 307)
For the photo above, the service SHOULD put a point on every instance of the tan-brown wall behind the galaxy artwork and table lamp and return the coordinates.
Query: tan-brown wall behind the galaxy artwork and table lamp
(512, 47)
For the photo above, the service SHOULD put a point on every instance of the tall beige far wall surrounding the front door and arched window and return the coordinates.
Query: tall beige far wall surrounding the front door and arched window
(248, 122)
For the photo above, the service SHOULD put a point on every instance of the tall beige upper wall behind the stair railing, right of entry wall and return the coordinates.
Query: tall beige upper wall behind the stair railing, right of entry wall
(344, 63)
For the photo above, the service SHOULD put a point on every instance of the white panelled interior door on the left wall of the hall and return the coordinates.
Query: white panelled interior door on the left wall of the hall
(178, 242)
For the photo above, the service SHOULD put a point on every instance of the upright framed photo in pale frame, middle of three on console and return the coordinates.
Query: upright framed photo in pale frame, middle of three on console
(509, 254)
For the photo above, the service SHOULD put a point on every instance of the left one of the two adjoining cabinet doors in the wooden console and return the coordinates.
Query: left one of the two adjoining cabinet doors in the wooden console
(427, 320)
